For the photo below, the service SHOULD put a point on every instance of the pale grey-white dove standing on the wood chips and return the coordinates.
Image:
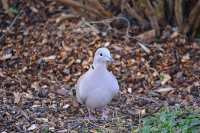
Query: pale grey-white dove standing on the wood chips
(97, 86)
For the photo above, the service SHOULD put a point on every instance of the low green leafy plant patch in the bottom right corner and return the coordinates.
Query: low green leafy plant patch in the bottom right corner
(172, 120)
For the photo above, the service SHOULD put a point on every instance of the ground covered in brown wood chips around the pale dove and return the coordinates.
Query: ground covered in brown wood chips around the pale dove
(43, 55)
